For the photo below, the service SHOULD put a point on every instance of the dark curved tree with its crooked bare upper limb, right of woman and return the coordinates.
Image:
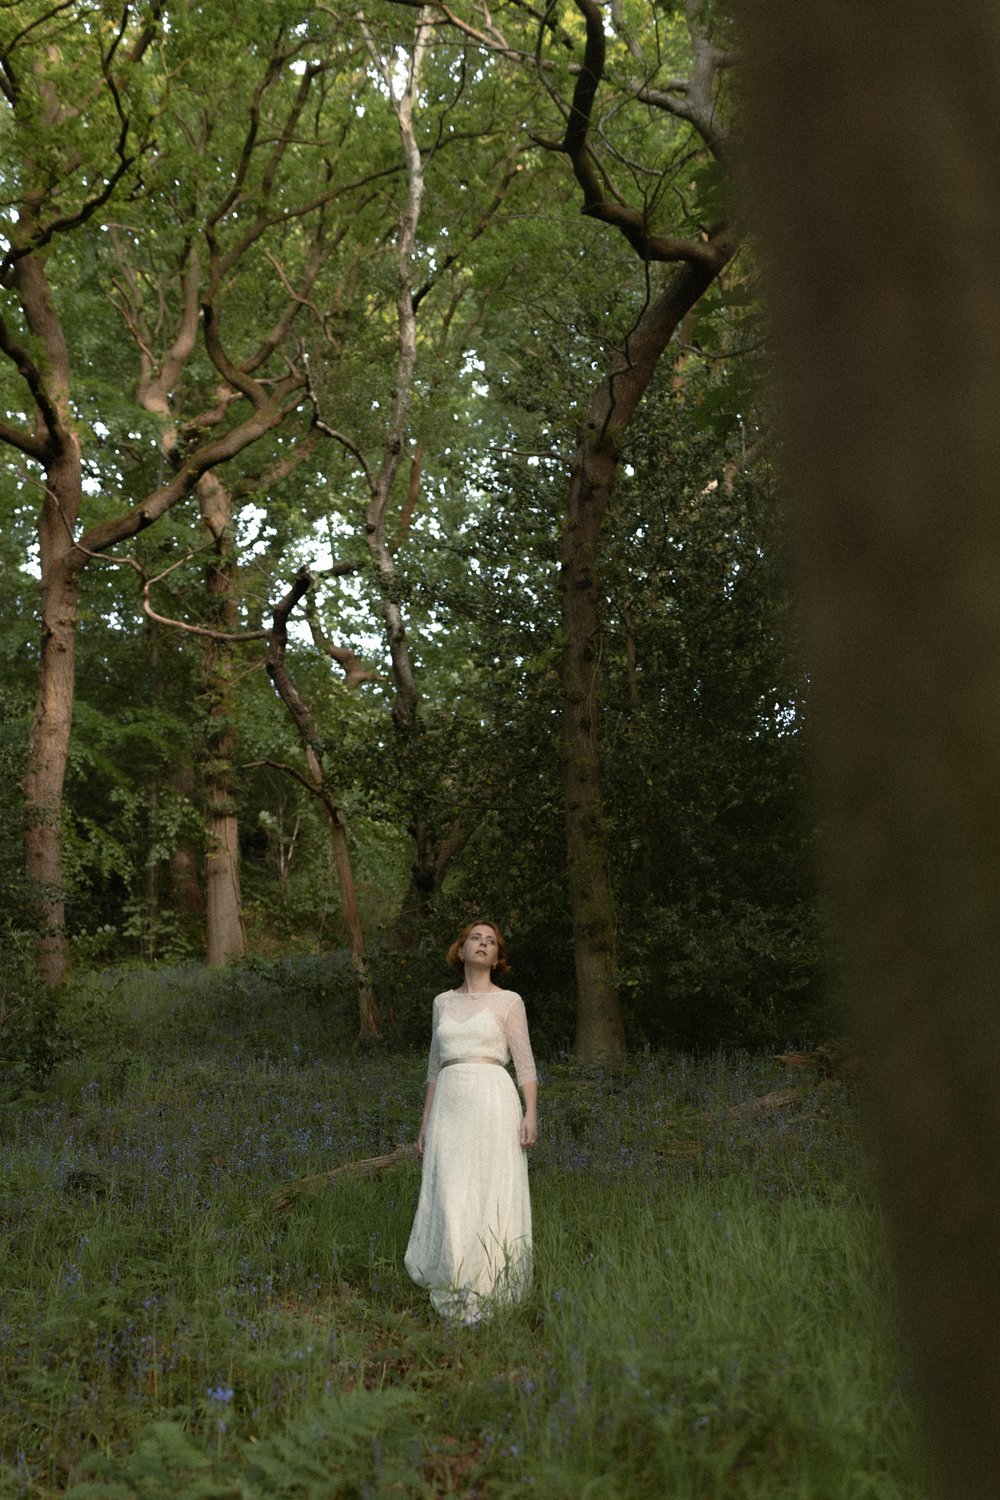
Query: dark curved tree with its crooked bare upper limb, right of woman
(632, 367)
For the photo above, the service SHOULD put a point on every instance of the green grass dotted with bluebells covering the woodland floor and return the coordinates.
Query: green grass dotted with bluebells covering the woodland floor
(710, 1313)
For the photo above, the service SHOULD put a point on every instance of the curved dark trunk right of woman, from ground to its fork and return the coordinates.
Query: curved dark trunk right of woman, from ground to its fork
(600, 1031)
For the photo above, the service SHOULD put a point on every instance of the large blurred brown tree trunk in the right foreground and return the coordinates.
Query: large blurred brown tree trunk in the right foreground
(879, 193)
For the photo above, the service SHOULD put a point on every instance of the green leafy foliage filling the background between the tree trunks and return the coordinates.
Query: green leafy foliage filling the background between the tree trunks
(519, 302)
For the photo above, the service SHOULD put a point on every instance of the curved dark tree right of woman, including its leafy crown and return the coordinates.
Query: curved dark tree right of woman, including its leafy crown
(692, 136)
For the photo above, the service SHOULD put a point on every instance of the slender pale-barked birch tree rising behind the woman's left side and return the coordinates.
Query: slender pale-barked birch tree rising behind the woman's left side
(425, 359)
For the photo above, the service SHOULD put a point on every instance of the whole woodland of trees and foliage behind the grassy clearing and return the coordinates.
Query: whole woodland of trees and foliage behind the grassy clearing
(391, 532)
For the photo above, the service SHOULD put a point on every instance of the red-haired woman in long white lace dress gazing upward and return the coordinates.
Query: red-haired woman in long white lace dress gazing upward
(472, 1238)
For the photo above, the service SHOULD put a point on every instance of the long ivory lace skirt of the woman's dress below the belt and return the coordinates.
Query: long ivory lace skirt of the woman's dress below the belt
(472, 1238)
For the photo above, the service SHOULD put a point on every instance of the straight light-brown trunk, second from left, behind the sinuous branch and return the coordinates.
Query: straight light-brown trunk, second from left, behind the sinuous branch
(224, 905)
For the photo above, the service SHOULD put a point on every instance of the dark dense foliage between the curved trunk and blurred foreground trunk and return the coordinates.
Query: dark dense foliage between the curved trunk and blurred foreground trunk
(704, 745)
